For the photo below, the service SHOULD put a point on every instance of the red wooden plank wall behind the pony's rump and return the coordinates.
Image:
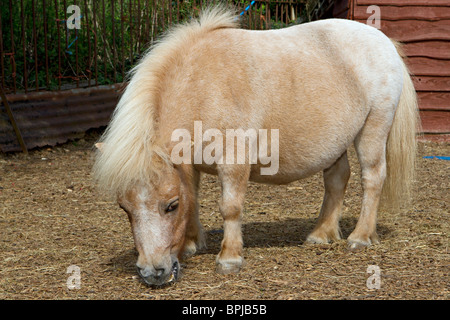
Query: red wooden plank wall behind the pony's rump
(424, 28)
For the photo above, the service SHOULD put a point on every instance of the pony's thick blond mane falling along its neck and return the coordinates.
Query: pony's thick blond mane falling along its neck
(130, 152)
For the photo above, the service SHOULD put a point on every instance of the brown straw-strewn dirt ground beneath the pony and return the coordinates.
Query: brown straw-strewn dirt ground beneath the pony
(52, 218)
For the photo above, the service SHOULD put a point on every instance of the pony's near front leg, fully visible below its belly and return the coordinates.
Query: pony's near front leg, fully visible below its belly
(234, 184)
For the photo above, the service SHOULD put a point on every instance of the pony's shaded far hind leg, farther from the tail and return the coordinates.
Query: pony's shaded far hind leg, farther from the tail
(335, 180)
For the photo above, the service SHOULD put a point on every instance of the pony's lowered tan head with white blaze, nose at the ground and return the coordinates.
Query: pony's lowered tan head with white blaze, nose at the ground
(158, 210)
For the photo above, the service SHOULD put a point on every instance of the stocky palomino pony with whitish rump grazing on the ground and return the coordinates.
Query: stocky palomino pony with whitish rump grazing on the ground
(322, 86)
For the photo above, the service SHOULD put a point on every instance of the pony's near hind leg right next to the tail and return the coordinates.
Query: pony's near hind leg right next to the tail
(370, 147)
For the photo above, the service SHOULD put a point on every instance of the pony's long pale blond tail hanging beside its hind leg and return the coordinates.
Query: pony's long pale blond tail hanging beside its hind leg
(402, 144)
